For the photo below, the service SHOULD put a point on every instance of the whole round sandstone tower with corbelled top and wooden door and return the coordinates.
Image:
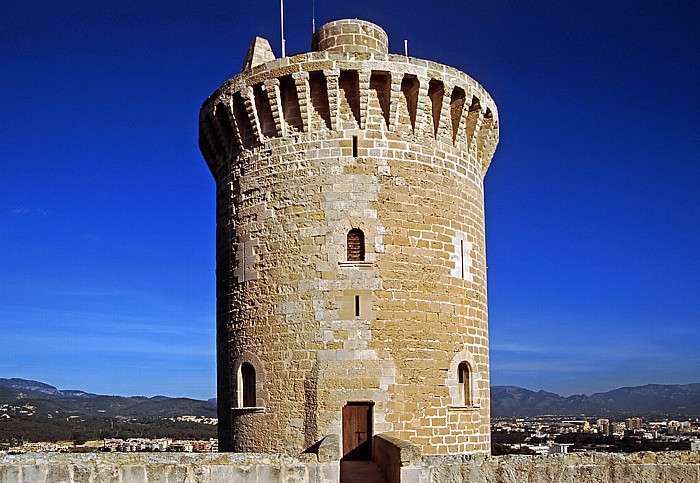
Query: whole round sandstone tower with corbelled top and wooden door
(351, 269)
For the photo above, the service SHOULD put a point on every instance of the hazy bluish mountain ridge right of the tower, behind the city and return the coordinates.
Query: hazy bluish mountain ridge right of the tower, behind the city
(652, 399)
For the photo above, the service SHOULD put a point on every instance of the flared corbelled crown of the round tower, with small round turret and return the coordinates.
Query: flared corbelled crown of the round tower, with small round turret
(336, 90)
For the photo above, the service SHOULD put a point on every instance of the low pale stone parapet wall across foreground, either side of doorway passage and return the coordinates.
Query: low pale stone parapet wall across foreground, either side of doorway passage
(667, 467)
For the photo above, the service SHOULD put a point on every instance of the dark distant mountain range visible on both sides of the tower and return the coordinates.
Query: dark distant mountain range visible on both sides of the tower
(506, 401)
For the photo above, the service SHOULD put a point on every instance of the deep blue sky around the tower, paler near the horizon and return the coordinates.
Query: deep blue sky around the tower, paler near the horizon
(107, 208)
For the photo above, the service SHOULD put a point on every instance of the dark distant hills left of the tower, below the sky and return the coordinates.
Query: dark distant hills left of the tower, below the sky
(46, 399)
